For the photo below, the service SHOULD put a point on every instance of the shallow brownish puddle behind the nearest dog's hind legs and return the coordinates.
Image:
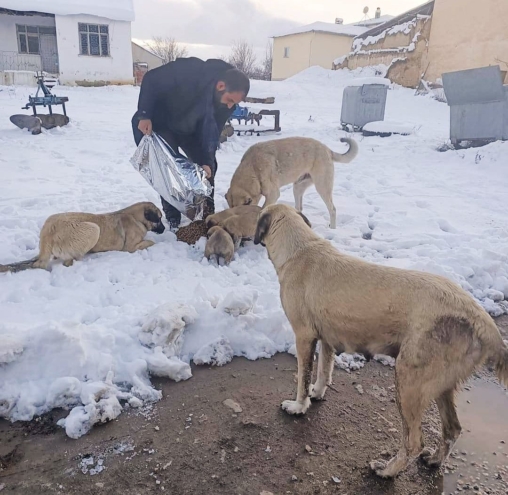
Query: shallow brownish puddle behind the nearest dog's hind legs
(479, 463)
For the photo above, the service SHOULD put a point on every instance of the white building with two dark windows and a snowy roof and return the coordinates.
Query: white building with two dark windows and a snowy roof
(82, 42)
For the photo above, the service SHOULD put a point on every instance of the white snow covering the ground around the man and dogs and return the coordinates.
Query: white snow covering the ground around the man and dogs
(88, 337)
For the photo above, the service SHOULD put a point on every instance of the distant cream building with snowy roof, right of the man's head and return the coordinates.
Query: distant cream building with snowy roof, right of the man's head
(319, 44)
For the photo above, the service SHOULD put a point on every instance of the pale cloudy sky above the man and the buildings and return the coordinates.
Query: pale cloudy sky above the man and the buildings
(209, 27)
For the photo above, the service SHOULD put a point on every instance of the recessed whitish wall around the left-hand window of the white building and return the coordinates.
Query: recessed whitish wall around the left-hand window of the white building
(10, 58)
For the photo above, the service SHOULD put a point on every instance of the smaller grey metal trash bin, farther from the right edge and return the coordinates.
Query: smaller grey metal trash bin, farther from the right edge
(363, 104)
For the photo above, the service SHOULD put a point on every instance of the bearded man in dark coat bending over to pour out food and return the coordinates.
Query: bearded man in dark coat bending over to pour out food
(188, 102)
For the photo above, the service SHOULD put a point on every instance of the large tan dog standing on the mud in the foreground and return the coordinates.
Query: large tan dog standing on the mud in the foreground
(437, 332)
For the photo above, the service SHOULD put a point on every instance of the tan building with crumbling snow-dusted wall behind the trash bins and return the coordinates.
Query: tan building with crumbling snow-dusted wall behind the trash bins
(436, 37)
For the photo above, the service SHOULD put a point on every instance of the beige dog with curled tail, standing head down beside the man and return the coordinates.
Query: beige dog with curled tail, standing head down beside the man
(266, 167)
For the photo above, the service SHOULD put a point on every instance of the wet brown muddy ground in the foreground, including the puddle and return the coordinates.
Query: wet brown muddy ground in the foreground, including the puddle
(191, 443)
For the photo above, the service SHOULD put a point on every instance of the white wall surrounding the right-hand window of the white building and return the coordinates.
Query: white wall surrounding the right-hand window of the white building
(85, 69)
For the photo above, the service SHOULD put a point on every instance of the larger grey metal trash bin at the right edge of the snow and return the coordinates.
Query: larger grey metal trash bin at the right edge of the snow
(478, 104)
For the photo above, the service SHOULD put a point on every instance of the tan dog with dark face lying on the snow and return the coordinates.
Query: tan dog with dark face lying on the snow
(69, 236)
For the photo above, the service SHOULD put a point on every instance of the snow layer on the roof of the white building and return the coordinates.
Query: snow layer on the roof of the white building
(117, 10)
